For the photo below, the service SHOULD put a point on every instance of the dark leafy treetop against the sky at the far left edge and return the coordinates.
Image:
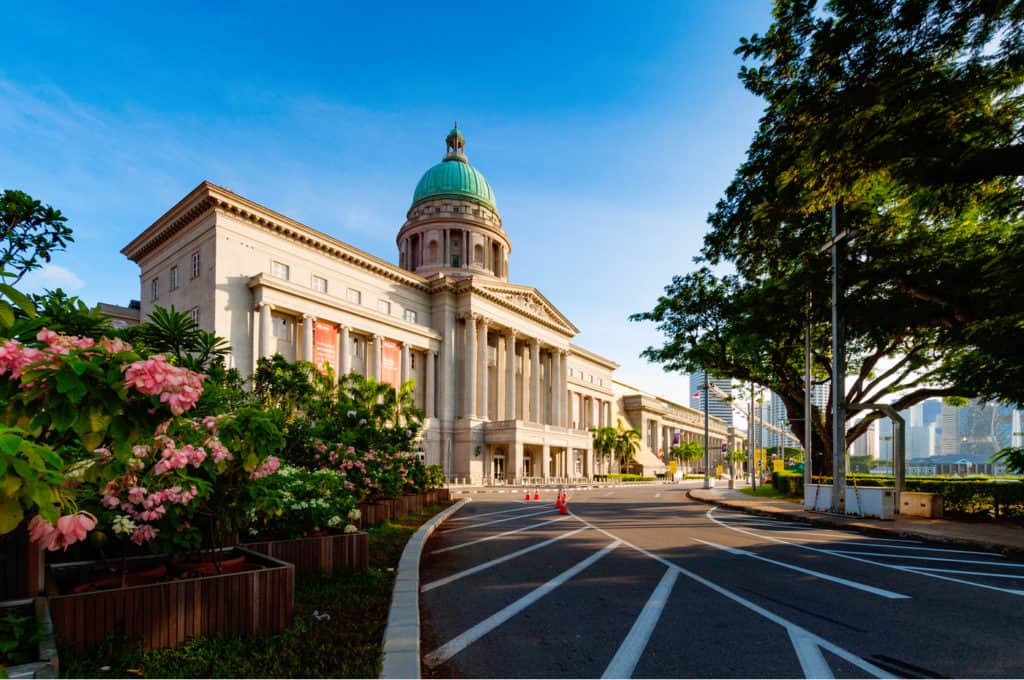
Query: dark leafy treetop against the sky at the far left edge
(30, 234)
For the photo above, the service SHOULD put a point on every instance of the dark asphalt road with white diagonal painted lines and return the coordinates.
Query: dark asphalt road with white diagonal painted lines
(643, 582)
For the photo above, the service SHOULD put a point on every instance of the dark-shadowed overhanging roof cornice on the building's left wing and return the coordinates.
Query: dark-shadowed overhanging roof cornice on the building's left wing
(211, 197)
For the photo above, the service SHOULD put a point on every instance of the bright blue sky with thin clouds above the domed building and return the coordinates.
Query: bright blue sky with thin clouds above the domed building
(607, 131)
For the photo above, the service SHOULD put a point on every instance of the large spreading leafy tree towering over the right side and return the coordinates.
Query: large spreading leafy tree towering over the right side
(907, 114)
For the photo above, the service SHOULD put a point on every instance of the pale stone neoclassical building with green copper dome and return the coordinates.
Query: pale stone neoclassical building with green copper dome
(506, 393)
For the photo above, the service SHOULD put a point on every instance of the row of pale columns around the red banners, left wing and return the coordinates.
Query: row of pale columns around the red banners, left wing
(374, 364)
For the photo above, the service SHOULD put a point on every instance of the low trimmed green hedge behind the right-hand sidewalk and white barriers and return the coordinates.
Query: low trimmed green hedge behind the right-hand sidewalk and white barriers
(964, 497)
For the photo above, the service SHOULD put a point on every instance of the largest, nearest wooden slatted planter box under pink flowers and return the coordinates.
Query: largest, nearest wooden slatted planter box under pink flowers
(165, 615)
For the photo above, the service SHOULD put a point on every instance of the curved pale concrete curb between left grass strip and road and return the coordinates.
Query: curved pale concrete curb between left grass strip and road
(402, 637)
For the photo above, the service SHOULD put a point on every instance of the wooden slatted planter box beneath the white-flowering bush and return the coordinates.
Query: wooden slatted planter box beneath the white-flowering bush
(320, 555)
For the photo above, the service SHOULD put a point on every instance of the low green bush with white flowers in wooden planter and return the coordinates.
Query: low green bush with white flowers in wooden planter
(307, 502)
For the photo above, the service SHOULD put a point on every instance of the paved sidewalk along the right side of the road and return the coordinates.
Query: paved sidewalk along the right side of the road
(990, 536)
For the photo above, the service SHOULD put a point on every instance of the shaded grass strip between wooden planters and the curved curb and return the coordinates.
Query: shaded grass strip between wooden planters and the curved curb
(350, 645)
